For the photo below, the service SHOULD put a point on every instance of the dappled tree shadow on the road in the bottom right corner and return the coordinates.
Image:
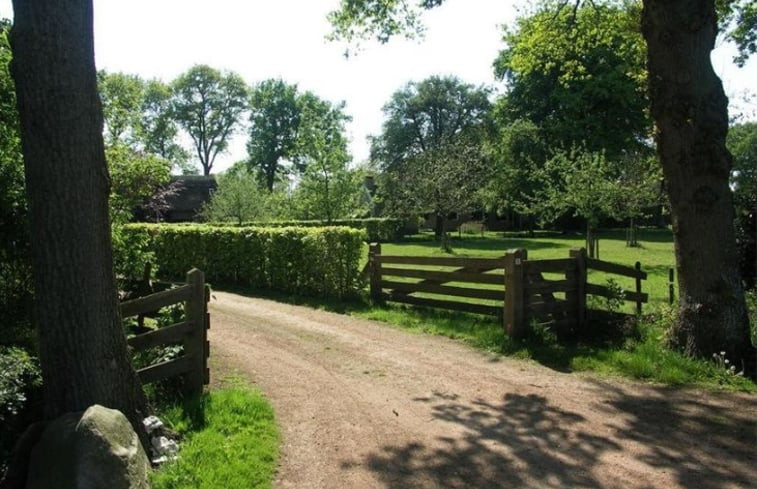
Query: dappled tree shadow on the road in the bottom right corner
(704, 444)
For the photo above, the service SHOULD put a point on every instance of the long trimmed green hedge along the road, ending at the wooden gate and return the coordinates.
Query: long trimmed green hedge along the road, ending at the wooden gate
(320, 262)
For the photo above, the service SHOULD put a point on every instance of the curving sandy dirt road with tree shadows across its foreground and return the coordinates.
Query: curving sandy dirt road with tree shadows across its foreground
(363, 405)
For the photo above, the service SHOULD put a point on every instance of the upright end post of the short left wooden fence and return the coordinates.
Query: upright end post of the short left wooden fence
(195, 343)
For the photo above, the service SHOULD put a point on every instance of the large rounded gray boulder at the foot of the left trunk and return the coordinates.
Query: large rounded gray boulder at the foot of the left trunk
(92, 450)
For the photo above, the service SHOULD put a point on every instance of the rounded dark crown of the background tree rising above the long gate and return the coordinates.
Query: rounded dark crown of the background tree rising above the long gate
(425, 114)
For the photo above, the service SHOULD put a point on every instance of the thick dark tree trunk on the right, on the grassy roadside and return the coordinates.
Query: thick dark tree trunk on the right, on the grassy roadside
(691, 115)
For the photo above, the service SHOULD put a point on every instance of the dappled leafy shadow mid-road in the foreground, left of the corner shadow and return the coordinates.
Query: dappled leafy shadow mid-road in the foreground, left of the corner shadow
(523, 441)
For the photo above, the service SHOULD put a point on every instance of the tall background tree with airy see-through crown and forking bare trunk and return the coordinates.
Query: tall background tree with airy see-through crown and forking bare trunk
(208, 105)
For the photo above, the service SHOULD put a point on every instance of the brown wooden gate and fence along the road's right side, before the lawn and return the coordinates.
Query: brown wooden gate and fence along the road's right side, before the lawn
(514, 287)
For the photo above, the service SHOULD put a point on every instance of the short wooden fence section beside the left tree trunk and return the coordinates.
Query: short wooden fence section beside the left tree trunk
(190, 333)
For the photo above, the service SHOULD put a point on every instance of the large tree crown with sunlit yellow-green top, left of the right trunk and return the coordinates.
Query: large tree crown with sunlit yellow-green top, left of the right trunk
(579, 75)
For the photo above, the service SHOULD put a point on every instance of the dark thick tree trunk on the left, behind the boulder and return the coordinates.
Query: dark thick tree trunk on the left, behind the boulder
(82, 344)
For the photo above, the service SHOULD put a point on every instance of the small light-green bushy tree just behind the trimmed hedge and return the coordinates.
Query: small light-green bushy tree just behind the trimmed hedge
(239, 197)
